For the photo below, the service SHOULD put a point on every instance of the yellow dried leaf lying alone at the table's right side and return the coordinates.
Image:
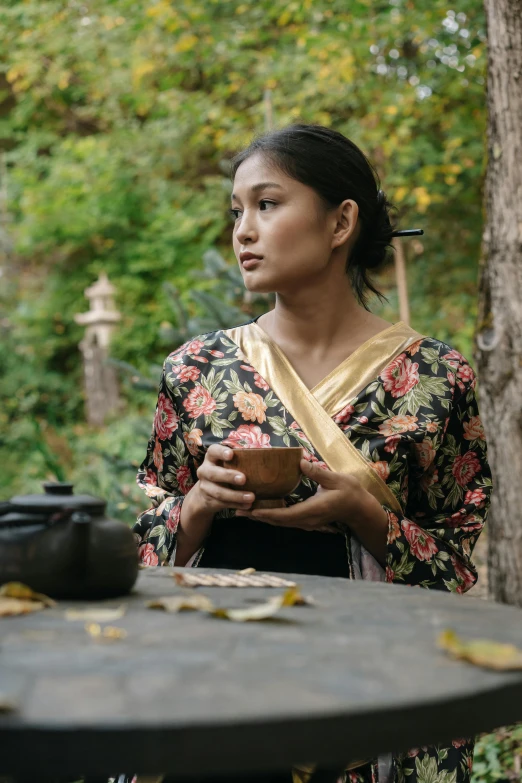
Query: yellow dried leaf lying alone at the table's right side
(482, 652)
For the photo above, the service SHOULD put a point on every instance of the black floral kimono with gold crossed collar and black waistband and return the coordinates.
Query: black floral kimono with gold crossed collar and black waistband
(400, 414)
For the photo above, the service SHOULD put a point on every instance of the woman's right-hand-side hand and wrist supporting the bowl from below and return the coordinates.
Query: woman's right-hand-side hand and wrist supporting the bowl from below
(339, 498)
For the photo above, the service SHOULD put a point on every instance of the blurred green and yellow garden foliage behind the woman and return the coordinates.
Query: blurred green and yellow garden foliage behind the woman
(117, 119)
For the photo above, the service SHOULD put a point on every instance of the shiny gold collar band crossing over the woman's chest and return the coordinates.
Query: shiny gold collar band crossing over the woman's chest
(313, 409)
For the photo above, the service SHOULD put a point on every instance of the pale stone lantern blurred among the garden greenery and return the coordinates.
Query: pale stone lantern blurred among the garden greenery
(101, 381)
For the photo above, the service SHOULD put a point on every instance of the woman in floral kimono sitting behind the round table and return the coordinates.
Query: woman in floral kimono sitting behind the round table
(395, 455)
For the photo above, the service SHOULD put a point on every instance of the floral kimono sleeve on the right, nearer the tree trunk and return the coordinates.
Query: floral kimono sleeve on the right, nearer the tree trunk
(448, 503)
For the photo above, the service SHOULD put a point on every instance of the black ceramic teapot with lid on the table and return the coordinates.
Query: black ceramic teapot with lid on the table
(62, 545)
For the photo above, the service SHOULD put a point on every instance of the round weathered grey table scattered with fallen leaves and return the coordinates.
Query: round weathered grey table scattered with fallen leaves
(356, 674)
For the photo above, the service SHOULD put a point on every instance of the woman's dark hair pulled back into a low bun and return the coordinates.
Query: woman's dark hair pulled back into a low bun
(336, 169)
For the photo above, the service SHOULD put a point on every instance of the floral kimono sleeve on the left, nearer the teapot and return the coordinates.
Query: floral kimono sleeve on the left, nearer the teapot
(166, 475)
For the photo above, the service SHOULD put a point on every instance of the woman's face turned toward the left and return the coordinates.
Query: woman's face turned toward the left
(284, 223)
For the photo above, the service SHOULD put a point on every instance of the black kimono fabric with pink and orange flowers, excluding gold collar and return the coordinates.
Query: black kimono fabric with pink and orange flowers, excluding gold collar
(417, 425)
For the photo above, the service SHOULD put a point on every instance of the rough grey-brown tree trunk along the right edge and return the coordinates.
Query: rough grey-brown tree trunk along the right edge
(499, 328)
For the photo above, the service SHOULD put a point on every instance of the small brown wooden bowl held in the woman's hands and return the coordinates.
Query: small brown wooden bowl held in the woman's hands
(270, 473)
